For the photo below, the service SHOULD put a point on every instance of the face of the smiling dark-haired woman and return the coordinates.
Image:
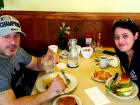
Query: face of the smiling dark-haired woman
(124, 39)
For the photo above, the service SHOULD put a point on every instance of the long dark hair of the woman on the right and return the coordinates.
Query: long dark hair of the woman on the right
(131, 26)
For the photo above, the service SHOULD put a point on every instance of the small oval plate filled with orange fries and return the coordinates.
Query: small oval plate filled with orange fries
(101, 75)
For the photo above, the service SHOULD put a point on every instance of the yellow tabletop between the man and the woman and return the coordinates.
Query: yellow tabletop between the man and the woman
(84, 80)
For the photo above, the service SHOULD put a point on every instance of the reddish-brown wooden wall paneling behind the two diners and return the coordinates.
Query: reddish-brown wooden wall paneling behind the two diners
(41, 26)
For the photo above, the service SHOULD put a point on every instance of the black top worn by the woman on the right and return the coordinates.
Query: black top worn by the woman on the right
(133, 70)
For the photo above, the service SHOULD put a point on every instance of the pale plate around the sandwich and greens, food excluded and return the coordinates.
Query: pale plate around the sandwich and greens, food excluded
(123, 98)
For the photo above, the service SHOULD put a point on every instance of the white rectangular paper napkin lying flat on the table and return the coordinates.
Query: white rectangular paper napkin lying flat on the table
(97, 96)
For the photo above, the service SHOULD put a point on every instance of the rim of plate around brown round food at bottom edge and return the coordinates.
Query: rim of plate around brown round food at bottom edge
(77, 99)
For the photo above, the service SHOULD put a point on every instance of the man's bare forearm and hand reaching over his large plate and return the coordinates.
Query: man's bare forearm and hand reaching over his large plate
(8, 97)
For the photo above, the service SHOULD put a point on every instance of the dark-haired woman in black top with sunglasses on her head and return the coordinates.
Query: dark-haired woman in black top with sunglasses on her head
(127, 46)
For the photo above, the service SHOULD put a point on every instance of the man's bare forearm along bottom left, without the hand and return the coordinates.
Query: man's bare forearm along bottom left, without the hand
(8, 98)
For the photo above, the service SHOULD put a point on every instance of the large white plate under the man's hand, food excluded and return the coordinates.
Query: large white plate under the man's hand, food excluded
(71, 86)
